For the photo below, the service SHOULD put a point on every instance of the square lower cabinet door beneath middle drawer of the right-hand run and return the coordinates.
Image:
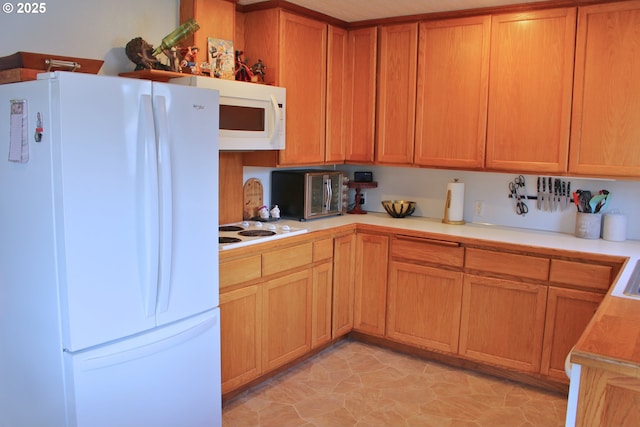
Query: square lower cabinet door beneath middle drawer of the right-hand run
(502, 322)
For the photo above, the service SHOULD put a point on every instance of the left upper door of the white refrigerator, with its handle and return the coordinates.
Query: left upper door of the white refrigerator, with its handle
(106, 207)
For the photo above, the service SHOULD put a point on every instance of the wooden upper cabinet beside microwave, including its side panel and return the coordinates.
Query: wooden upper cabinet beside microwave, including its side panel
(294, 49)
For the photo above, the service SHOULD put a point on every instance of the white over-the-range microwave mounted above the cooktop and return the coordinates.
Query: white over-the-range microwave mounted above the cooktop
(252, 116)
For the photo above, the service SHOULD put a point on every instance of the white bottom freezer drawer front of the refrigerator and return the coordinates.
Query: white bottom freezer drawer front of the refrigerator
(166, 378)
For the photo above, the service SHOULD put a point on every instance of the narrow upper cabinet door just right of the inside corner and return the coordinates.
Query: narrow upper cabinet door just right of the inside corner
(360, 94)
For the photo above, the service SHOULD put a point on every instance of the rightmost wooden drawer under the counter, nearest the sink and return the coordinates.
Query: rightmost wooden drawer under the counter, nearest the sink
(580, 274)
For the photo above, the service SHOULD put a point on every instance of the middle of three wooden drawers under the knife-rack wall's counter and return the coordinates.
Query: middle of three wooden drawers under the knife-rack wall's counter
(525, 266)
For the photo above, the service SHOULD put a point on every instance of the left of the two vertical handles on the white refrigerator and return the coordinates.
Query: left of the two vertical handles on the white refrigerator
(148, 205)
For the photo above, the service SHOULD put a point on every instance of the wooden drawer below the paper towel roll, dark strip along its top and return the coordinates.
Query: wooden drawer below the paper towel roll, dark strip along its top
(428, 251)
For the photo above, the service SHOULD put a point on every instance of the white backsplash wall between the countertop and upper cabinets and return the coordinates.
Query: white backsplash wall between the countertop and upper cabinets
(427, 187)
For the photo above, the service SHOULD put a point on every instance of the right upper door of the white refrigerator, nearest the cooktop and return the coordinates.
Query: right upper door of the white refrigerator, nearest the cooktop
(187, 132)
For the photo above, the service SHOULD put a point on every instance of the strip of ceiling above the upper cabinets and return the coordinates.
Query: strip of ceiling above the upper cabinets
(364, 10)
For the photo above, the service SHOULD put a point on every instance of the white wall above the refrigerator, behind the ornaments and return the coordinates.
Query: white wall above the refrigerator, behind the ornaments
(89, 29)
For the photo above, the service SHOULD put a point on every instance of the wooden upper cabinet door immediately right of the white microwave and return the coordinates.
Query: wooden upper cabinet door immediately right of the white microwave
(303, 71)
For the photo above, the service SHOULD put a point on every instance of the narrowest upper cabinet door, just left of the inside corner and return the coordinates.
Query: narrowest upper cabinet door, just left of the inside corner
(336, 95)
